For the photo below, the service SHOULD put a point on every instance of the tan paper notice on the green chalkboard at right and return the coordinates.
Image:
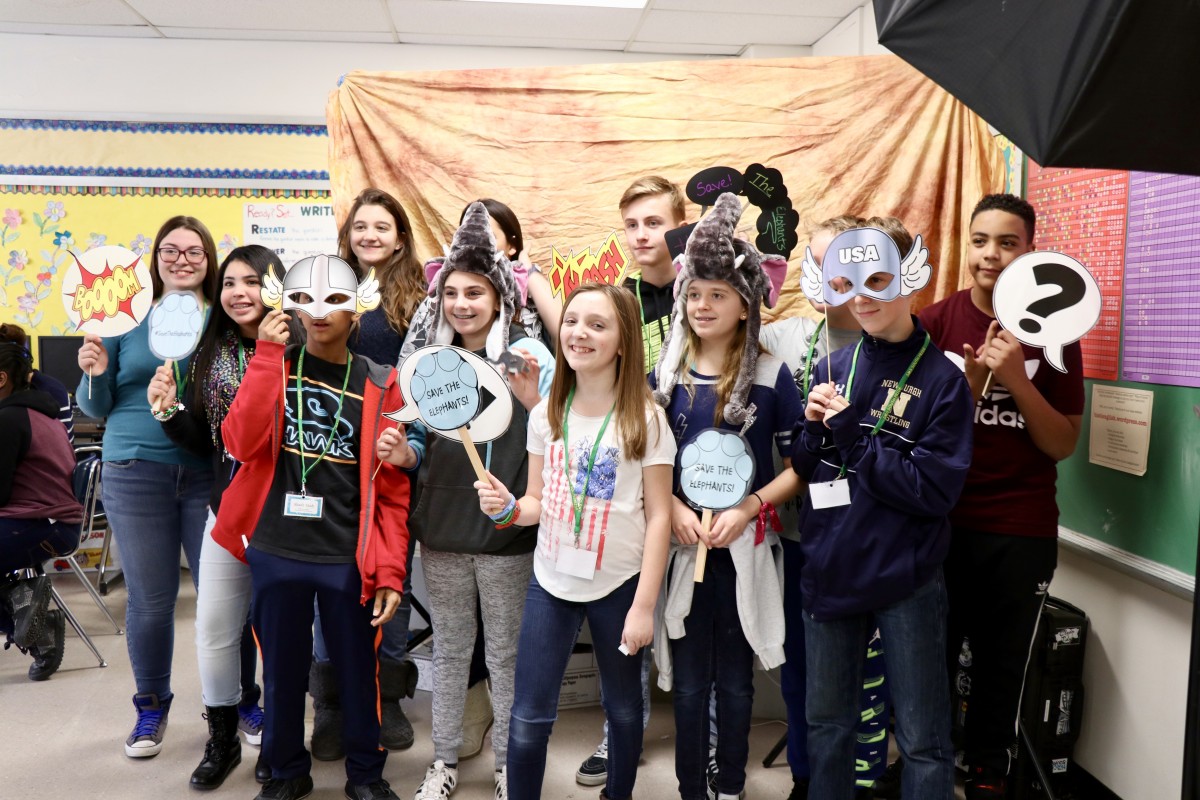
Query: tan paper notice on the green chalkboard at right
(1120, 430)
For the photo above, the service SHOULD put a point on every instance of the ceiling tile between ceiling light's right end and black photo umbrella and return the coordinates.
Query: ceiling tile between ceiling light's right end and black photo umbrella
(733, 29)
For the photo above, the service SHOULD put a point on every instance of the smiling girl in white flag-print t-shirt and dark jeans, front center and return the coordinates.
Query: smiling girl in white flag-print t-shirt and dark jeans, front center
(601, 462)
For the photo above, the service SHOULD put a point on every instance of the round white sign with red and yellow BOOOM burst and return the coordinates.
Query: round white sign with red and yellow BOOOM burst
(107, 291)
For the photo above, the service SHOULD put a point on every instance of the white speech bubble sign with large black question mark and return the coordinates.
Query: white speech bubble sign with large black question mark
(1047, 300)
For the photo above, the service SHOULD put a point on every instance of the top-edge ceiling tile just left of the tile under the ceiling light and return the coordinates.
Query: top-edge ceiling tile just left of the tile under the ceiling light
(267, 15)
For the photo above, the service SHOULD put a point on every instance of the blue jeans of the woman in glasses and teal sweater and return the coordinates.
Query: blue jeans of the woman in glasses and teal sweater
(155, 510)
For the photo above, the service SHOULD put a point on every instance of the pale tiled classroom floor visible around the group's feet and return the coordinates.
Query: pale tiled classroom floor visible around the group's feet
(64, 738)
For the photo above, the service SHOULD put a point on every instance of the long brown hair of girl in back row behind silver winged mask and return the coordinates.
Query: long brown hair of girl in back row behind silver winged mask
(401, 279)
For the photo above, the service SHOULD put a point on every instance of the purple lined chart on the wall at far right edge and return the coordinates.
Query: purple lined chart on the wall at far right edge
(1162, 286)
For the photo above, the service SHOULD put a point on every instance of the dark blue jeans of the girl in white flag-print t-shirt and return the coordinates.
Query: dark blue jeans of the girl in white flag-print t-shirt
(548, 633)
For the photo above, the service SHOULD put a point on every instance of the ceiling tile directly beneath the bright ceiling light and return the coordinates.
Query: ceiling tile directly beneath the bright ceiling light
(513, 20)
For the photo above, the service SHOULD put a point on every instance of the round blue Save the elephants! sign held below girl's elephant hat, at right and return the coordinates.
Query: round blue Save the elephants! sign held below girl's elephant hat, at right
(716, 470)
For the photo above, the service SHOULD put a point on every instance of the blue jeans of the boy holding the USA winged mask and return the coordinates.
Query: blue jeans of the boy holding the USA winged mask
(915, 633)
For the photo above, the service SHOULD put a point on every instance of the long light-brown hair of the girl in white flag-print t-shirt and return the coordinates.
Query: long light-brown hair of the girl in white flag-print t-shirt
(633, 393)
